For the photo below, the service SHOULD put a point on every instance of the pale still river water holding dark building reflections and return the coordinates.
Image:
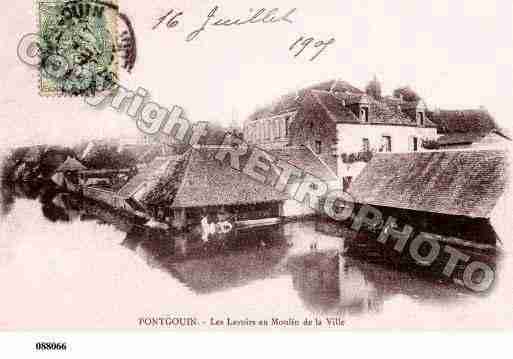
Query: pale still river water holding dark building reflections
(75, 265)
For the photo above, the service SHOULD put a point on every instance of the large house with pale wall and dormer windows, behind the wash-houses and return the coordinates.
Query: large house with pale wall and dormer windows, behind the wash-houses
(342, 124)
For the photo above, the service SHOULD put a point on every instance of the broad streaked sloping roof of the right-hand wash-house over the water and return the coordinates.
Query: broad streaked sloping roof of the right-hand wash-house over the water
(467, 183)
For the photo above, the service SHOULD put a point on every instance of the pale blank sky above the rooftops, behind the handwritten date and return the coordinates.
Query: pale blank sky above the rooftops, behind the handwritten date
(455, 54)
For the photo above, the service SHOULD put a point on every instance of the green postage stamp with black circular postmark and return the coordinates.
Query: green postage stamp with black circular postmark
(77, 43)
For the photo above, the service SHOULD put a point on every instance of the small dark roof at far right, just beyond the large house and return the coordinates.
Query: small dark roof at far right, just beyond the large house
(458, 121)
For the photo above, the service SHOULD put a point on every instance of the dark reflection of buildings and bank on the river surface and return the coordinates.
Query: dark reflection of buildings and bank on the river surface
(324, 280)
